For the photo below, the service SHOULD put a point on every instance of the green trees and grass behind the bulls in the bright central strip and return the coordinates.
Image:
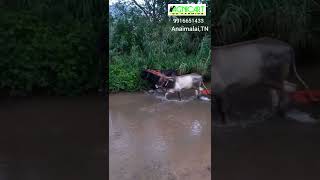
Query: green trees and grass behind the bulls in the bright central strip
(145, 41)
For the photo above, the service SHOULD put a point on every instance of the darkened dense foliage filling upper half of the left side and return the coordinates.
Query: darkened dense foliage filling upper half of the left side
(48, 47)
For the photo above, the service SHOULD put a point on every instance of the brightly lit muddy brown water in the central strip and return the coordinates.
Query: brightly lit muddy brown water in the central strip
(153, 139)
